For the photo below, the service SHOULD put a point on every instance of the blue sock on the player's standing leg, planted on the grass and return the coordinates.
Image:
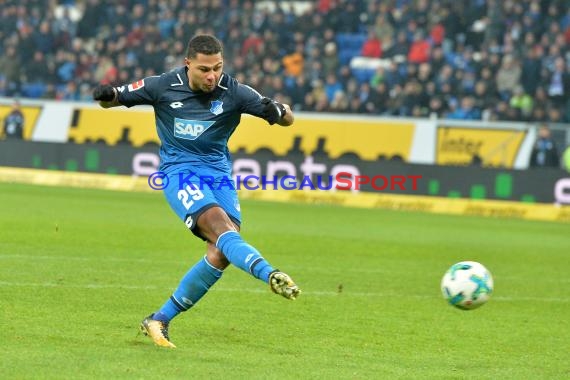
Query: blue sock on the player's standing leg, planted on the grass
(195, 283)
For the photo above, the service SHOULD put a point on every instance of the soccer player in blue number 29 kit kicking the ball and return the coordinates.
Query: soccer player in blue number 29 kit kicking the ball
(197, 108)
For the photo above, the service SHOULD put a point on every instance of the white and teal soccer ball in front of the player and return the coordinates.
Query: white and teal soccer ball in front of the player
(467, 285)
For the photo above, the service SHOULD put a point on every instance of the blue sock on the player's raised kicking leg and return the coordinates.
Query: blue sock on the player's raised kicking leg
(243, 255)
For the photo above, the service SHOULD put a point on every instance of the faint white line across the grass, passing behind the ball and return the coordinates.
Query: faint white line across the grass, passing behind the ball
(305, 293)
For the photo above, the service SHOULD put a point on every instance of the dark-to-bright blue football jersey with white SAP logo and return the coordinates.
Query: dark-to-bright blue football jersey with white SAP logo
(193, 127)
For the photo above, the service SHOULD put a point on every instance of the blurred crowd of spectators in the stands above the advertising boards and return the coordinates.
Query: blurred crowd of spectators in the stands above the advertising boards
(460, 59)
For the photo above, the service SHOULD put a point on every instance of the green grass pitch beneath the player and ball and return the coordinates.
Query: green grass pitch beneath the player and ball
(81, 268)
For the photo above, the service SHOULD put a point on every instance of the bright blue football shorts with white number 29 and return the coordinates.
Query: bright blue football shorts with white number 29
(190, 192)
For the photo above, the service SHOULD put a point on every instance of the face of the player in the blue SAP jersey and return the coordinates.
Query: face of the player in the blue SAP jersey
(204, 71)
